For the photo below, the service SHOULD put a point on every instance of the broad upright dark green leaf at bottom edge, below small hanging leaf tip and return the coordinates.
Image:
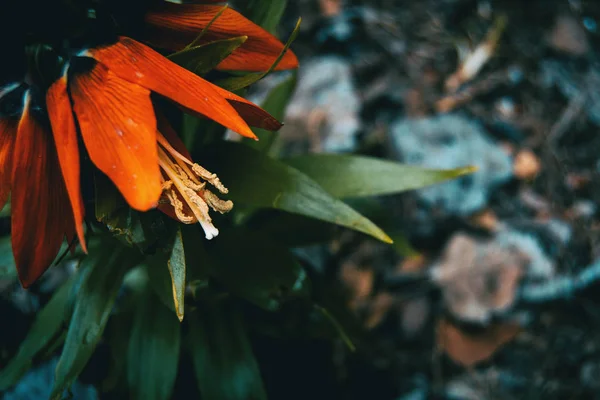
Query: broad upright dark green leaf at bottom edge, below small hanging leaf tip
(153, 351)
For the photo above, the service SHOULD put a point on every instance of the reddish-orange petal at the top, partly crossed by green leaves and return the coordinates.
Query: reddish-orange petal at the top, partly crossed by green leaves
(173, 26)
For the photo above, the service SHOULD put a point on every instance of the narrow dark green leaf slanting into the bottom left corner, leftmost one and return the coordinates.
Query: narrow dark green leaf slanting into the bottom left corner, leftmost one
(46, 329)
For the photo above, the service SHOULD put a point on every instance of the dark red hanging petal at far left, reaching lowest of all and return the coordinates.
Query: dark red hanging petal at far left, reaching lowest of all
(39, 200)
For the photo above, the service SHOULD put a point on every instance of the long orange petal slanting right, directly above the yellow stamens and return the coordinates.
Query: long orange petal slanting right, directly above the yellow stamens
(139, 64)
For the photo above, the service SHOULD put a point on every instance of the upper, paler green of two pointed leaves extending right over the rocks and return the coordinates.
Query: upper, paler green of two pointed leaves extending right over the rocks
(356, 176)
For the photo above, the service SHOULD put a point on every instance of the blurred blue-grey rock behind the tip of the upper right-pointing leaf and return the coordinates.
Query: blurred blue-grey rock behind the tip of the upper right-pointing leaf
(450, 141)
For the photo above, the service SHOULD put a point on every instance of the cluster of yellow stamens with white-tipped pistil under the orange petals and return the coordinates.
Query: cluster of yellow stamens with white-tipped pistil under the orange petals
(185, 188)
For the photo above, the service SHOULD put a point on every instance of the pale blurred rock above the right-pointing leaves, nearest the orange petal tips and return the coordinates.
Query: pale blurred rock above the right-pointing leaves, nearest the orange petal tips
(327, 105)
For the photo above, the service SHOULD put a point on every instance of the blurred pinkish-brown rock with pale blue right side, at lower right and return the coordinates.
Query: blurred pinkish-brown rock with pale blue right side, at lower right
(480, 279)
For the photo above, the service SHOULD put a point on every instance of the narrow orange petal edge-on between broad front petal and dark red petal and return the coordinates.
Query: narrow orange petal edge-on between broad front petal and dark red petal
(65, 138)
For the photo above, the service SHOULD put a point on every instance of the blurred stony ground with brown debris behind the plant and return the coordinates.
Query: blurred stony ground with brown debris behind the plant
(491, 290)
